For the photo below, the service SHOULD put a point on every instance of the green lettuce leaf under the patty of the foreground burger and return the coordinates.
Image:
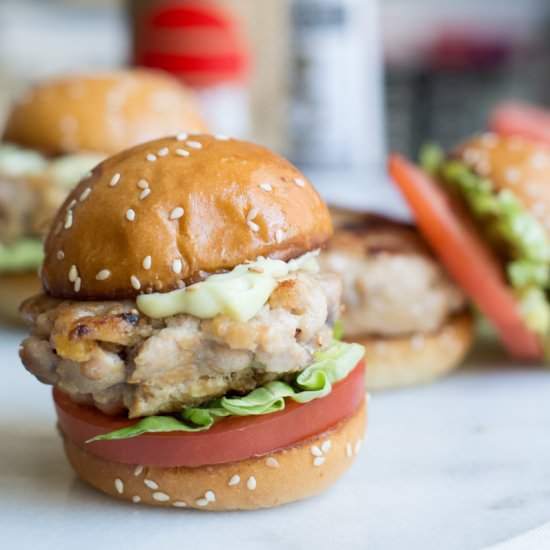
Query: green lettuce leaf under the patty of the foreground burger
(314, 382)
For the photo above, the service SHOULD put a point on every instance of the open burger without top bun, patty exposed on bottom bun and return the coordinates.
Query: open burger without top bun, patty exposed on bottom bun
(399, 301)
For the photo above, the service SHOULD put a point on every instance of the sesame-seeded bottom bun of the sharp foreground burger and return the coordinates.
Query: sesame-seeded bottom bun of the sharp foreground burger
(283, 476)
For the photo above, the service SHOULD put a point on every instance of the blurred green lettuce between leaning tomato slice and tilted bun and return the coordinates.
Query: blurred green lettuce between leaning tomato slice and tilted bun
(519, 237)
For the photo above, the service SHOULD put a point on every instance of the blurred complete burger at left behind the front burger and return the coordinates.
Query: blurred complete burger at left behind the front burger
(57, 132)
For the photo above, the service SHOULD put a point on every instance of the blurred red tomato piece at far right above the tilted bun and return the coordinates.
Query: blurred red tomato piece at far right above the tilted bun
(521, 119)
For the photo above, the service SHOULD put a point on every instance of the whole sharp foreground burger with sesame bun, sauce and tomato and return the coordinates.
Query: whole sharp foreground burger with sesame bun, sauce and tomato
(188, 331)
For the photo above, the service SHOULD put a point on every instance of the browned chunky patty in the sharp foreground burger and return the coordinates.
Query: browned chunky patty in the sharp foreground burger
(109, 355)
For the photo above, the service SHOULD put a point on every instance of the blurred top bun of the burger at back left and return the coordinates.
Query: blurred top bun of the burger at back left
(105, 112)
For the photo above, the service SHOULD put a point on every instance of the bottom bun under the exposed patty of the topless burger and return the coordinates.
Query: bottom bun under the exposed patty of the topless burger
(396, 362)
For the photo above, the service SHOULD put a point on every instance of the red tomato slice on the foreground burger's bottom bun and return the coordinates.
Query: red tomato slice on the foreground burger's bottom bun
(230, 440)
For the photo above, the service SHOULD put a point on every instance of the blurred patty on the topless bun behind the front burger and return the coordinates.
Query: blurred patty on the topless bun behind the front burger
(392, 284)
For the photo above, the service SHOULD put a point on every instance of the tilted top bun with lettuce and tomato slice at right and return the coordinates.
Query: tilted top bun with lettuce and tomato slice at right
(484, 209)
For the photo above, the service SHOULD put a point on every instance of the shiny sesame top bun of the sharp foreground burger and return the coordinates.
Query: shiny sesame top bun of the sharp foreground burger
(156, 216)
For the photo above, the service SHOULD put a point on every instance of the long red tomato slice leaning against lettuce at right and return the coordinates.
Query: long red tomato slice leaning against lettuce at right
(467, 258)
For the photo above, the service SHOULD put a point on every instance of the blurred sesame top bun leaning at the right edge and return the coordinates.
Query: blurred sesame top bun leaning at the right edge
(514, 163)
